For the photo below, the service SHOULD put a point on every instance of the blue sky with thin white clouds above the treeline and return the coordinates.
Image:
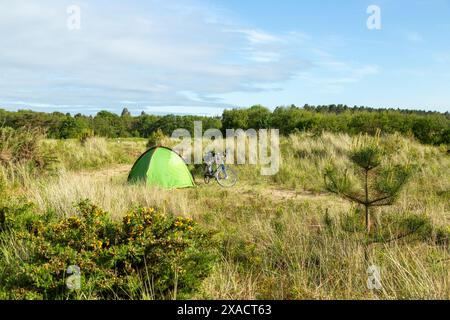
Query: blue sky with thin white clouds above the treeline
(199, 56)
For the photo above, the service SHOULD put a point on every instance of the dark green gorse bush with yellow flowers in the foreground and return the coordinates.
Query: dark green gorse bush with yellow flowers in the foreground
(146, 255)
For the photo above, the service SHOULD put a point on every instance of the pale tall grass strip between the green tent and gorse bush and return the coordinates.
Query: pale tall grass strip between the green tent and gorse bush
(110, 192)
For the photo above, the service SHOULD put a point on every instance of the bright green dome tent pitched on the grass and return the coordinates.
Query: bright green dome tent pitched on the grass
(161, 167)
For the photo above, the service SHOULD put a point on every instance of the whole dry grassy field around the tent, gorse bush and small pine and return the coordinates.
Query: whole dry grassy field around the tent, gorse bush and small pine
(279, 237)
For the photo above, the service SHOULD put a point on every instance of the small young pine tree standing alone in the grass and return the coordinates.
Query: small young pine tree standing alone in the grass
(376, 180)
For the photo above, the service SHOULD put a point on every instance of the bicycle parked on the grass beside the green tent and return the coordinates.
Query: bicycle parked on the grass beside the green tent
(224, 175)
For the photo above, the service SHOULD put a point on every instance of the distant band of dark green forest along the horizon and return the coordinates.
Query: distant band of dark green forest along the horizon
(426, 127)
